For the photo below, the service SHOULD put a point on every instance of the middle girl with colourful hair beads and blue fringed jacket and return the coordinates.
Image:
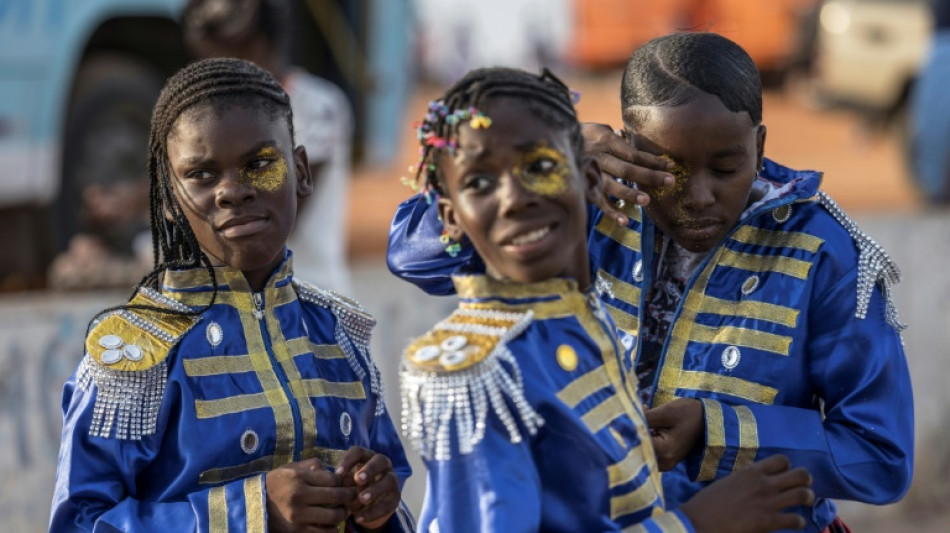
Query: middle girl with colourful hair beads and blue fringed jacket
(520, 402)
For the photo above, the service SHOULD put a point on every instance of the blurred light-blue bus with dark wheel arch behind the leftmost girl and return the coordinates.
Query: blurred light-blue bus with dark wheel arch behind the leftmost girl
(77, 82)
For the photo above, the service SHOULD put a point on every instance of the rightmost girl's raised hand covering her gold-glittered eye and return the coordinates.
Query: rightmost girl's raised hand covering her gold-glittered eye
(617, 158)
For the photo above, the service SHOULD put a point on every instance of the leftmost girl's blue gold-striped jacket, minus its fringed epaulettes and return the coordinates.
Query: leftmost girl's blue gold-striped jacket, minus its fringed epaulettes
(172, 479)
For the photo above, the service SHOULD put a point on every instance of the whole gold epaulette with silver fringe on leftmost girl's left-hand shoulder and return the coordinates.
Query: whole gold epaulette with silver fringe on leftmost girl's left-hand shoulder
(126, 359)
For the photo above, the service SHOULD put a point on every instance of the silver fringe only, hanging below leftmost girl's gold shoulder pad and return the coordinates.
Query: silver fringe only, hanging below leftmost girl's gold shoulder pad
(127, 403)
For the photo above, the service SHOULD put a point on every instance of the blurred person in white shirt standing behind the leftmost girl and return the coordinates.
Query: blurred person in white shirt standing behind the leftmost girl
(260, 31)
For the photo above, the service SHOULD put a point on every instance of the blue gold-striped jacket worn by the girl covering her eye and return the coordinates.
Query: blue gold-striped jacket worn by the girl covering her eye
(786, 332)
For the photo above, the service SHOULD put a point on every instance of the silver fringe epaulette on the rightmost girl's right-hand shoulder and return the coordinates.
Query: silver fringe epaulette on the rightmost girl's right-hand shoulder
(874, 265)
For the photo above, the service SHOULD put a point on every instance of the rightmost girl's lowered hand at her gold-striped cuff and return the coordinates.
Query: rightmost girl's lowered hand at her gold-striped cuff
(676, 427)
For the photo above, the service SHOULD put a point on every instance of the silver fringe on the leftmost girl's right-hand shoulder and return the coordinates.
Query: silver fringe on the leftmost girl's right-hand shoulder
(353, 321)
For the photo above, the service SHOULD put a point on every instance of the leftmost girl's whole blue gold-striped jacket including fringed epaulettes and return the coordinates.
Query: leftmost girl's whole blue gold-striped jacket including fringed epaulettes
(172, 420)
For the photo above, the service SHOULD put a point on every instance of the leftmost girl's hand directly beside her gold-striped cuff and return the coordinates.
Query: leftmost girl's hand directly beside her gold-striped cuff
(305, 496)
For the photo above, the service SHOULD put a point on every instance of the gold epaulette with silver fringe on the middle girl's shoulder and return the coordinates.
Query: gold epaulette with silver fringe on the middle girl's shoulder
(458, 371)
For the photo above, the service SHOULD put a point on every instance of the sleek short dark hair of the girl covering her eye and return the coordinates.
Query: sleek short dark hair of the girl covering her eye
(675, 69)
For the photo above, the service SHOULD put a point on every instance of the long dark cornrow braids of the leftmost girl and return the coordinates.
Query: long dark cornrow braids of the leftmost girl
(220, 82)
